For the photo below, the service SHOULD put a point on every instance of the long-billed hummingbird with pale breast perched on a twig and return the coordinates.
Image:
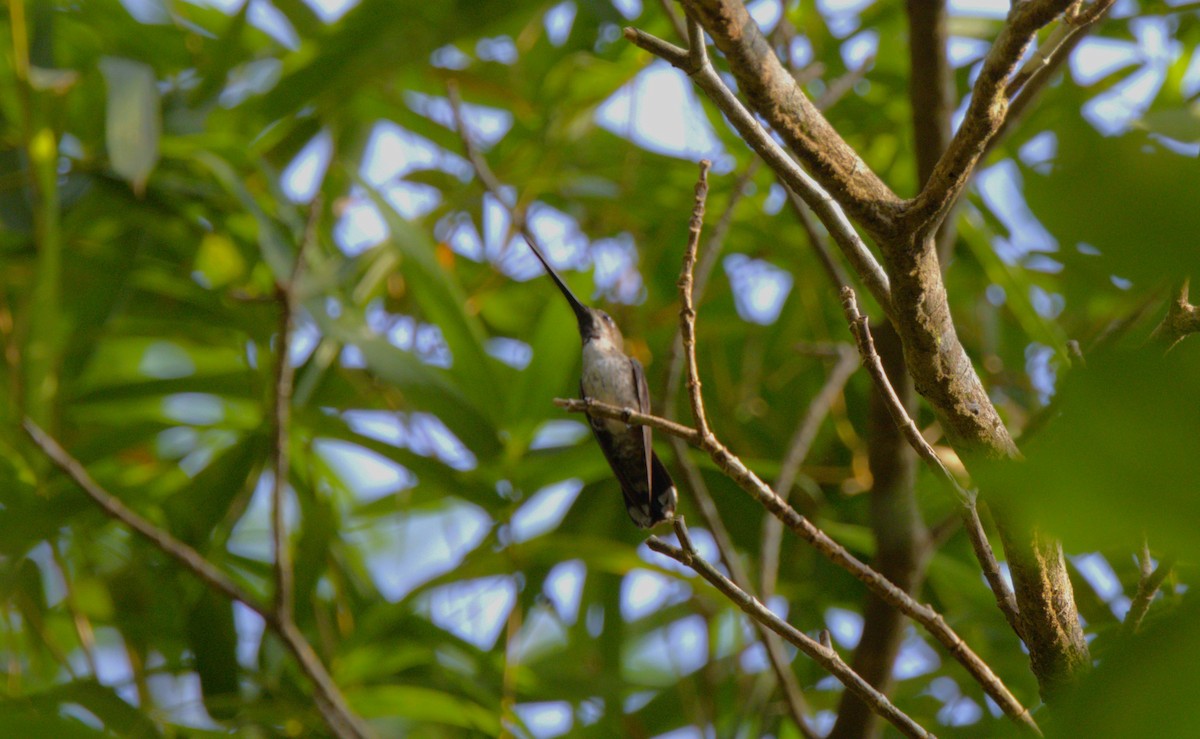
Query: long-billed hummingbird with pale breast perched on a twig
(613, 377)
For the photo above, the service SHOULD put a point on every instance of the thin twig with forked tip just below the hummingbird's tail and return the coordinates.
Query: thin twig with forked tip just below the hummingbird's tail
(819, 653)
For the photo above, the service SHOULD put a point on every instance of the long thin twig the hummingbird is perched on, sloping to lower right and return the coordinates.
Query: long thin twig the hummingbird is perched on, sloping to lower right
(824, 544)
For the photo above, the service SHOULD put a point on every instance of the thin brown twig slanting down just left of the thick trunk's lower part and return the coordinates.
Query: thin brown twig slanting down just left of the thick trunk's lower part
(967, 500)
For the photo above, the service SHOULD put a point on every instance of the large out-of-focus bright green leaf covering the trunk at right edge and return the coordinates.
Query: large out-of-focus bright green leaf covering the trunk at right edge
(1121, 448)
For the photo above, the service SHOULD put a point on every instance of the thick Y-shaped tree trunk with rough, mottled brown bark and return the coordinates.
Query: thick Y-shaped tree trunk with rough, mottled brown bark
(941, 370)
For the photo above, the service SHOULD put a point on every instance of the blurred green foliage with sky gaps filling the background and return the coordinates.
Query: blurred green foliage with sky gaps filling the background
(146, 163)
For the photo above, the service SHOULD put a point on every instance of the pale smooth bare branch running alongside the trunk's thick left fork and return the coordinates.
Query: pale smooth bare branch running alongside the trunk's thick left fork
(823, 205)
